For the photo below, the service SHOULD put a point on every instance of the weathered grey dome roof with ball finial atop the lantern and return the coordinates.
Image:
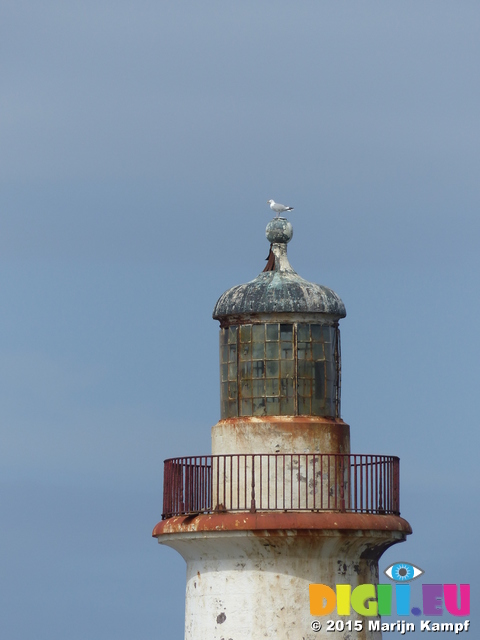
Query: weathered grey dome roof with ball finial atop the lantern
(279, 289)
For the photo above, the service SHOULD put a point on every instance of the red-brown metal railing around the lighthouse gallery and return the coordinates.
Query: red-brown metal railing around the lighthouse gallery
(281, 482)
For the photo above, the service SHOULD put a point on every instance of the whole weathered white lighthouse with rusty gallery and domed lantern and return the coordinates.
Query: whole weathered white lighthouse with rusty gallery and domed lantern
(281, 503)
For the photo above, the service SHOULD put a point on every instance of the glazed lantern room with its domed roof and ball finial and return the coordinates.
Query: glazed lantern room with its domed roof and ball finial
(279, 341)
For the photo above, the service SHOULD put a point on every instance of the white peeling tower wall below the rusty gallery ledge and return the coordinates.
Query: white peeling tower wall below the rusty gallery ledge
(267, 596)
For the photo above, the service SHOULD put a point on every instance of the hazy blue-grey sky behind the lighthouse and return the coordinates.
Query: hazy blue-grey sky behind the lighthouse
(140, 142)
